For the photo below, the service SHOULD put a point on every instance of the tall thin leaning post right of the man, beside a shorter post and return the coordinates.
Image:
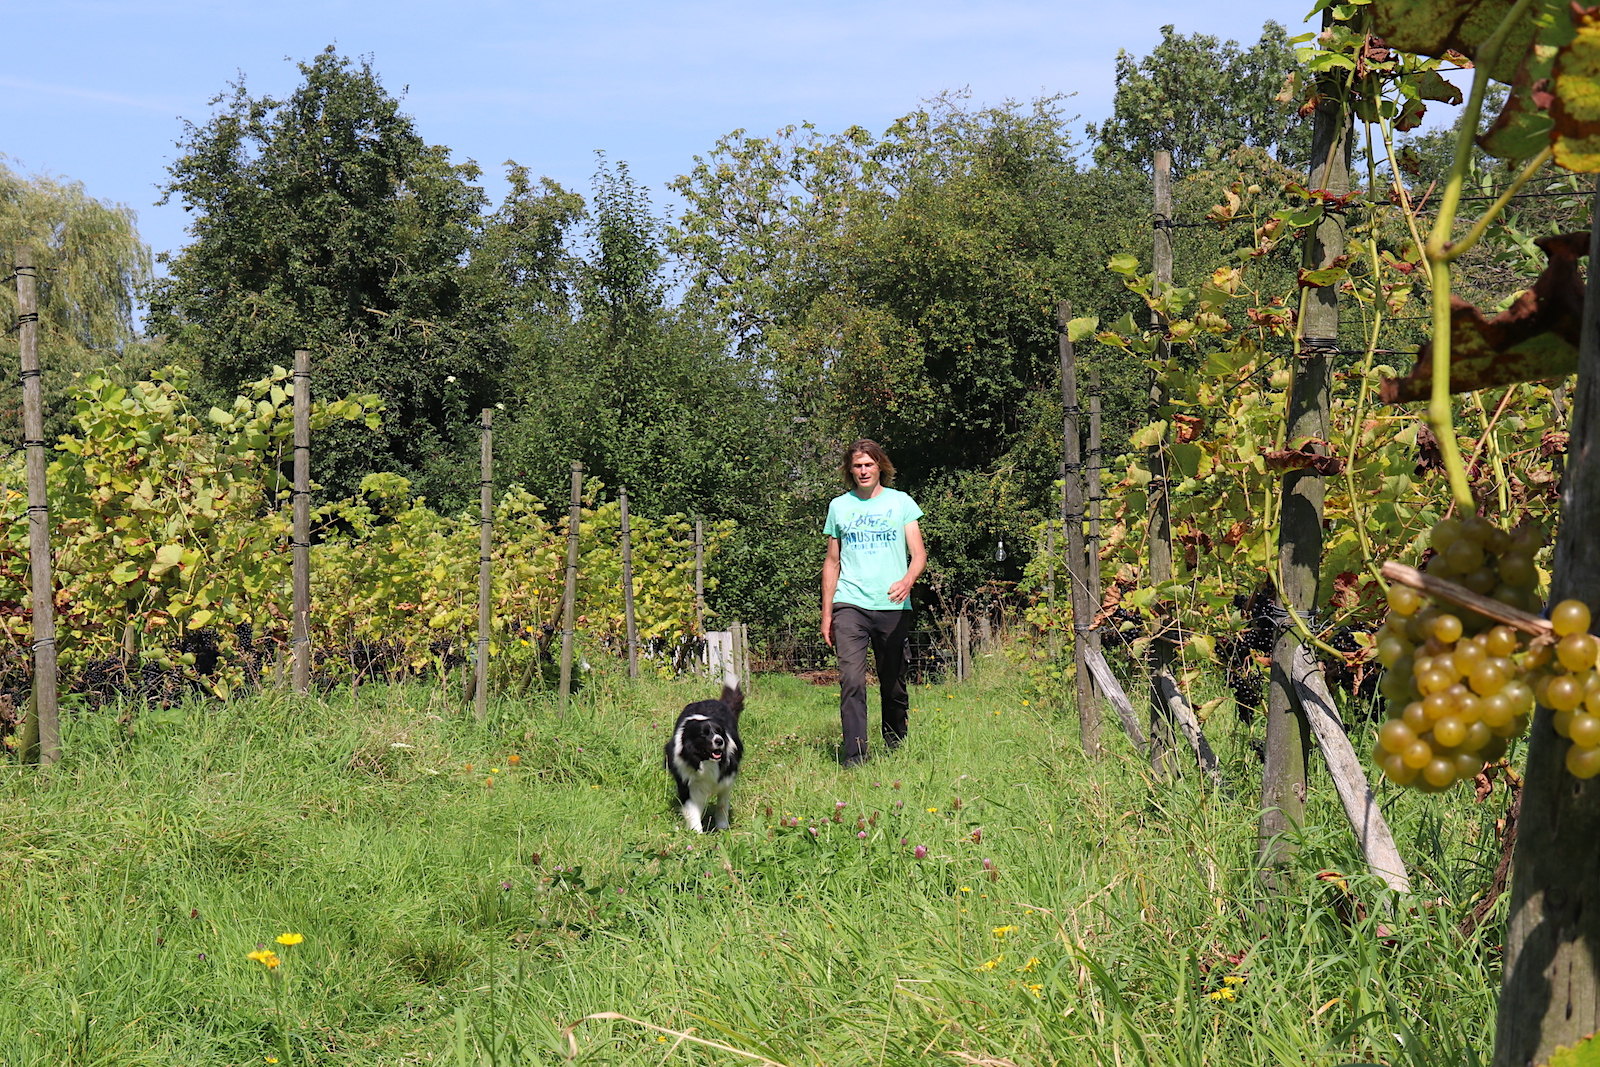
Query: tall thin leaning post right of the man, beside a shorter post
(1079, 564)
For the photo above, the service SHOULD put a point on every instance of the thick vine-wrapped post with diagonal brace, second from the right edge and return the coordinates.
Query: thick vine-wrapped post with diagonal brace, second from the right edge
(1303, 492)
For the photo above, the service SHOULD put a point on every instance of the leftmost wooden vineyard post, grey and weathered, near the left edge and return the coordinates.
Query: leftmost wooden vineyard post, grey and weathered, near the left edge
(42, 733)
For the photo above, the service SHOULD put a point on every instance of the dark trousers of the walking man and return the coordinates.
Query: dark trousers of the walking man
(855, 631)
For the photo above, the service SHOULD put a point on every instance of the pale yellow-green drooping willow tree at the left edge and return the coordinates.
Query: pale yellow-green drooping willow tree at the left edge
(92, 270)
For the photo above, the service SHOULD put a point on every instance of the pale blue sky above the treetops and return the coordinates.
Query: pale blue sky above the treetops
(98, 90)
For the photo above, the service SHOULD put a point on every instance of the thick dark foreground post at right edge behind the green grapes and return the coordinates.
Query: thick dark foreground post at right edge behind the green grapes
(1551, 978)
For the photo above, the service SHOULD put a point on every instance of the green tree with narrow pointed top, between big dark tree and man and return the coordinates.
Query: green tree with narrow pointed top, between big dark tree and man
(649, 394)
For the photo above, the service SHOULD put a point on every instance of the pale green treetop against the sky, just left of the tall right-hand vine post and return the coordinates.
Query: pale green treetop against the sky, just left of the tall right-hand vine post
(1199, 98)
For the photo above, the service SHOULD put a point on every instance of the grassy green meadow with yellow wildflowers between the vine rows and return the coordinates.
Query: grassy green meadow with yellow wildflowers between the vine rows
(375, 877)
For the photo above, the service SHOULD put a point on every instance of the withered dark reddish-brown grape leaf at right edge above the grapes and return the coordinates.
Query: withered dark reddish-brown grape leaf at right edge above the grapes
(1534, 340)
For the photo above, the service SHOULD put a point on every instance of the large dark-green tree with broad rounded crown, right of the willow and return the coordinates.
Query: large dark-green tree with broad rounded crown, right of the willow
(324, 222)
